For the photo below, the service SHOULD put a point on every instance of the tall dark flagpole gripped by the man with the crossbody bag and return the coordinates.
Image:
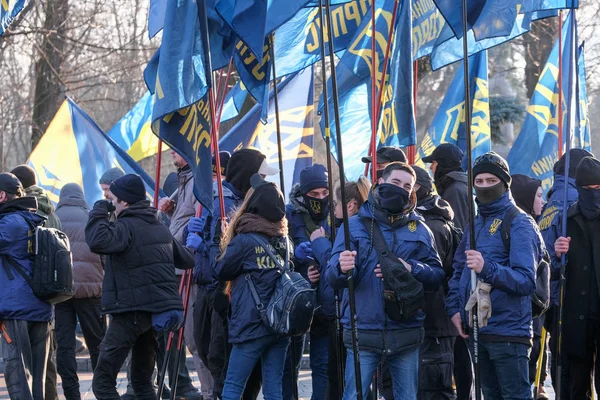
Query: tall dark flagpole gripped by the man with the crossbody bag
(338, 128)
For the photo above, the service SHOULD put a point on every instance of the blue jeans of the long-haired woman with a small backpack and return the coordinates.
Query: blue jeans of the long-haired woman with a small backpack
(270, 350)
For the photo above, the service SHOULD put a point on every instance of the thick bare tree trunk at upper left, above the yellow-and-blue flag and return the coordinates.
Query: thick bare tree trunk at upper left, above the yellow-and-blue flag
(48, 86)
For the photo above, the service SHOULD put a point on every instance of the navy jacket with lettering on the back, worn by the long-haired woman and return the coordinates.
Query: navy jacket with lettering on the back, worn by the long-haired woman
(243, 258)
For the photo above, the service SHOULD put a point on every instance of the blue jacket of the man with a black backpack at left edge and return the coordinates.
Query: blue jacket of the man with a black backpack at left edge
(17, 300)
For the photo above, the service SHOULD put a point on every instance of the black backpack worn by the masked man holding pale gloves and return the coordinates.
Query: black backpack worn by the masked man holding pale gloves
(540, 300)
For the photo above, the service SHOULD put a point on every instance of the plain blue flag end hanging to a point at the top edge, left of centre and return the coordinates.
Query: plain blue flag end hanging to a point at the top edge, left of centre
(254, 20)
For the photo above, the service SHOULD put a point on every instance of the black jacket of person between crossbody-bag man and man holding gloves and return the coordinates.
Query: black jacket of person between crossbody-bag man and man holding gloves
(438, 217)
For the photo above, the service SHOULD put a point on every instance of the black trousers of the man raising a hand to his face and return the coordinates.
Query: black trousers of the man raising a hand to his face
(127, 331)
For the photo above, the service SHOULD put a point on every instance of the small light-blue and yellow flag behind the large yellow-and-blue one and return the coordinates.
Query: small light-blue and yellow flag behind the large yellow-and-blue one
(133, 132)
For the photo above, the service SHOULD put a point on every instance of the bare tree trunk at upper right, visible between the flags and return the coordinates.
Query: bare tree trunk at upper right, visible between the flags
(538, 44)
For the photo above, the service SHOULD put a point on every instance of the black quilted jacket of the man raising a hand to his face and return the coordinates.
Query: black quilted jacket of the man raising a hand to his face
(141, 255)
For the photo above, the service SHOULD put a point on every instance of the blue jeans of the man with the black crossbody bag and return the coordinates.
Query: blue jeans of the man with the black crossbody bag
(404, 368)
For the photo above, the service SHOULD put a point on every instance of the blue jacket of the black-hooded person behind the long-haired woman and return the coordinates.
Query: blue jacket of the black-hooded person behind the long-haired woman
(203, 274)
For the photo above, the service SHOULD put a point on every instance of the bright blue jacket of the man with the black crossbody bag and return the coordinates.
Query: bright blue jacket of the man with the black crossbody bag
(412, 242)
